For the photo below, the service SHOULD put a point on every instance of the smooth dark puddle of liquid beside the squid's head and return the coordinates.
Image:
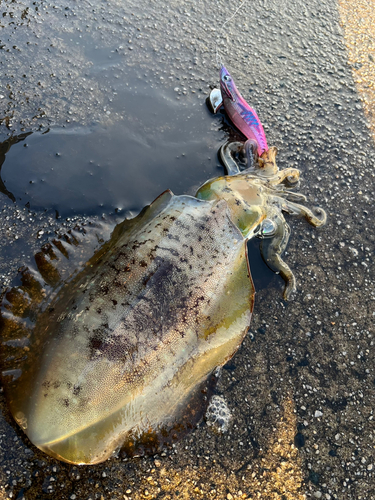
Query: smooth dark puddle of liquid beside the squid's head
(158, 143)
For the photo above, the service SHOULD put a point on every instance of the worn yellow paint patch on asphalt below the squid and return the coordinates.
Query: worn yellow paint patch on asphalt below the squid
(274, 474)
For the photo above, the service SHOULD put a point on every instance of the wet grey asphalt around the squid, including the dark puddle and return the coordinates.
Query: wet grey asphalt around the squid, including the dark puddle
(301, 387)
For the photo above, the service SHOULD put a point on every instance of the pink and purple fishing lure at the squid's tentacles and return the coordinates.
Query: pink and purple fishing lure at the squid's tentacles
(241, 114)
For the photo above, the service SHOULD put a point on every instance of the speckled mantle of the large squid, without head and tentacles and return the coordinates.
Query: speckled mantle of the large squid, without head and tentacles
(123, 346)
